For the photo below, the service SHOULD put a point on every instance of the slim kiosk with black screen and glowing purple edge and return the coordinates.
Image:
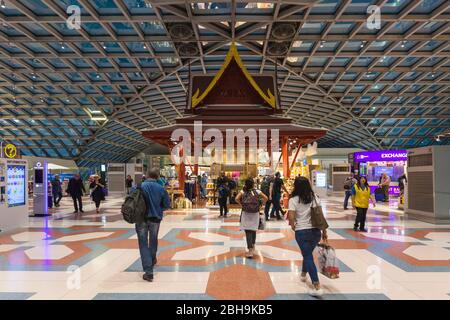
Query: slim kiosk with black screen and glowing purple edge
(40, 189)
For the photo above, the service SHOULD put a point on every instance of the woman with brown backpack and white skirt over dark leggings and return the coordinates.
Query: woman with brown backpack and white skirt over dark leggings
(251, 219)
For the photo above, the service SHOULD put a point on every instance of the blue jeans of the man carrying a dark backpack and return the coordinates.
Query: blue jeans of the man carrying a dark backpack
(147, 233)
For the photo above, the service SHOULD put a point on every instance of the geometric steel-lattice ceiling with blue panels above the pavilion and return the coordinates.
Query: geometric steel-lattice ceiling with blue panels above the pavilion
(86, 93)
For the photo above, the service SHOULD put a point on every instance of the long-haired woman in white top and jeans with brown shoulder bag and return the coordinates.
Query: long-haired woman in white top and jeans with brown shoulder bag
(307, 220)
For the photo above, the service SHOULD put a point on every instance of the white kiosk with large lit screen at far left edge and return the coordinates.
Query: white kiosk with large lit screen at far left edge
(13, 193)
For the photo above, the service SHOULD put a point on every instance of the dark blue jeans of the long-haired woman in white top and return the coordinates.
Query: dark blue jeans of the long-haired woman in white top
(307, 240)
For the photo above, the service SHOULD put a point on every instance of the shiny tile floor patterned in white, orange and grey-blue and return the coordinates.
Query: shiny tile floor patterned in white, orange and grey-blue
(95, 256)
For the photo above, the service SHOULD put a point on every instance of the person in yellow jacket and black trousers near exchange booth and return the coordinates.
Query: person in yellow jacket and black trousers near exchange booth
(360, 200)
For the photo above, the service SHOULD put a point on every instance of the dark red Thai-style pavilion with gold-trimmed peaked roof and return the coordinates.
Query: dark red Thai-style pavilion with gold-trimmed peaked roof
(234, 98)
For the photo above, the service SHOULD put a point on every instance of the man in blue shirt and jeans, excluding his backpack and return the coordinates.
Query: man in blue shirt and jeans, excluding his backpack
(157, 200)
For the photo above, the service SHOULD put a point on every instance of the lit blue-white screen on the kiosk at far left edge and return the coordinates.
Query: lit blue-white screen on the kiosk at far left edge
(16, 185)
